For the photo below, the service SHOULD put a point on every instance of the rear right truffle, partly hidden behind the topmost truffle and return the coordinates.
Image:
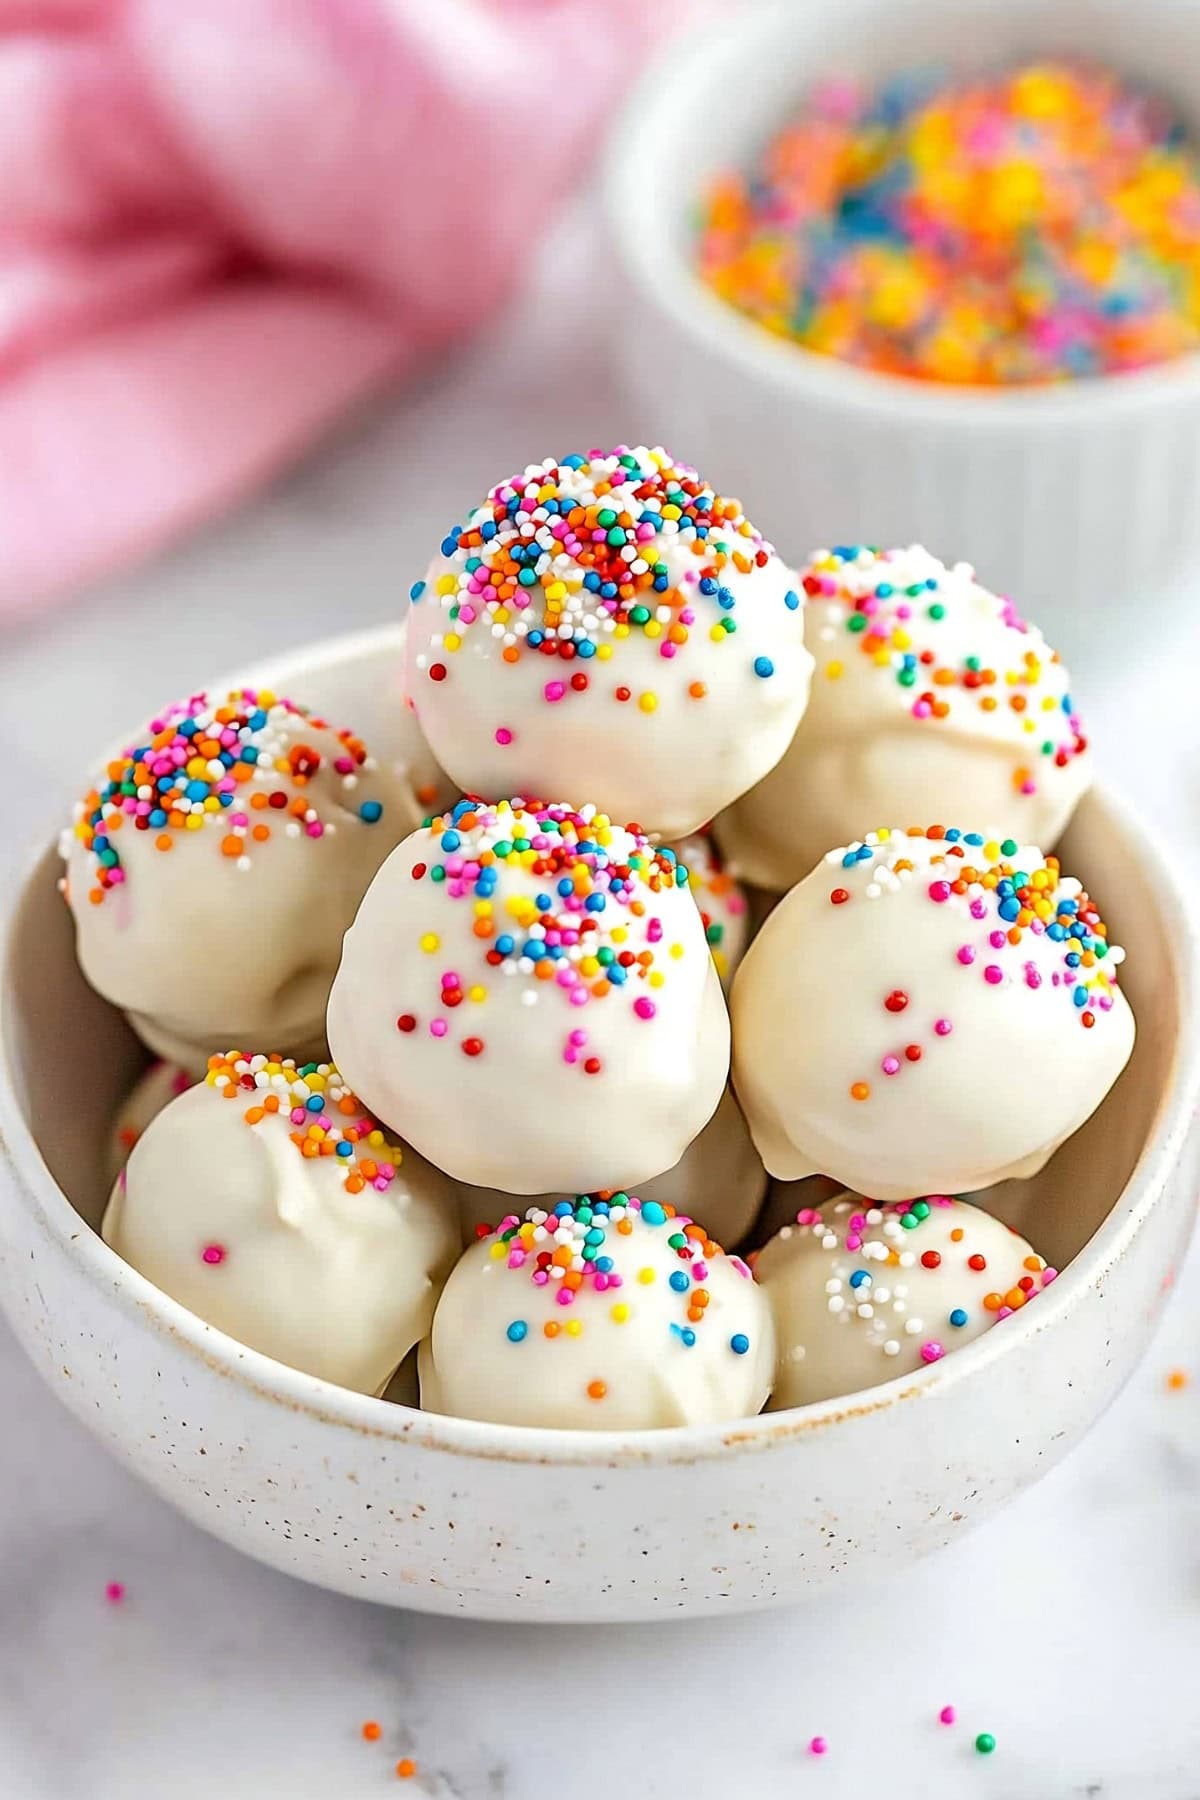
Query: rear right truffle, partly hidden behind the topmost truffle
(931, 699)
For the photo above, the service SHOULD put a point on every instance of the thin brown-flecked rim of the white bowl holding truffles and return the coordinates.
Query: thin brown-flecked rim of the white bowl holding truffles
(399, 1425)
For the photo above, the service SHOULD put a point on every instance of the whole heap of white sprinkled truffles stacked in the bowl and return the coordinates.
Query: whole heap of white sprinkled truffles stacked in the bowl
(526, 1039)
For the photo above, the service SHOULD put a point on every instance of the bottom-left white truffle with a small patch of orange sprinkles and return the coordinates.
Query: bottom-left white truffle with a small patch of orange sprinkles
(269, 1203)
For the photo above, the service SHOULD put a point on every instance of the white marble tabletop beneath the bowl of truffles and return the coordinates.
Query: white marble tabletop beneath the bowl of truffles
(1071, 1628)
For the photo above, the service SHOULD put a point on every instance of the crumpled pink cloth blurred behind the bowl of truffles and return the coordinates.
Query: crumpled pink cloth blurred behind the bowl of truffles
(222, 222)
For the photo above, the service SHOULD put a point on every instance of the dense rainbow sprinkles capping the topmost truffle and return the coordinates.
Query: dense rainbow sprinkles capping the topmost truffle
(575, 557)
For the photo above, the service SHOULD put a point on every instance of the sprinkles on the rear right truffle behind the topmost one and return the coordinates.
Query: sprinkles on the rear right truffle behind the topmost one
(897, 607)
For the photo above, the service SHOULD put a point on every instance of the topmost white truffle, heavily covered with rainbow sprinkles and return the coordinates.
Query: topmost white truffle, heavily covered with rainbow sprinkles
(609, 627)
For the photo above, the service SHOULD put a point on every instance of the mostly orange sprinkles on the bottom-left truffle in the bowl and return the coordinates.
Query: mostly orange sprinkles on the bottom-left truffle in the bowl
(327, 1119)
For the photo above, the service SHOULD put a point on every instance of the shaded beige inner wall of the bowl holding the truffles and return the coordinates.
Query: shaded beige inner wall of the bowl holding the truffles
(73, 1057)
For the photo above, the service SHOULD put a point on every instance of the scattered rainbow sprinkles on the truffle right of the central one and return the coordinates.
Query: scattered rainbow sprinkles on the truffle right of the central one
(1007, 906)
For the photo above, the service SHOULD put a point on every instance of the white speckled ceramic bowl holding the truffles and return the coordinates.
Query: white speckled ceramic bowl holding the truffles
(494, 1522)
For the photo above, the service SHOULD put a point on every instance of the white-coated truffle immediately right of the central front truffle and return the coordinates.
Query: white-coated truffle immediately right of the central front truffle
(927, 1014)
